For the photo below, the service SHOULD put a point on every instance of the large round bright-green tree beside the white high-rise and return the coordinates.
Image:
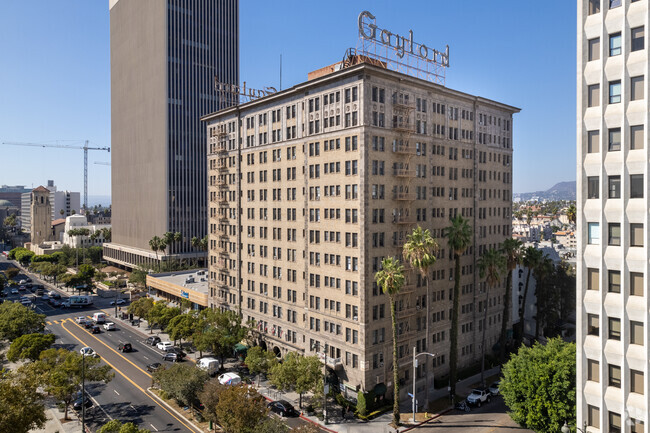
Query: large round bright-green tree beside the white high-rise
(539, 385)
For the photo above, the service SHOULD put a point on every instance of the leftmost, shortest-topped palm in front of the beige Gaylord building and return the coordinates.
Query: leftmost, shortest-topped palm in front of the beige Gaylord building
(391, 279)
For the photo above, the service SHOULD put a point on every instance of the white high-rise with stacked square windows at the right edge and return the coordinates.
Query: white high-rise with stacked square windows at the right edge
(612, 172)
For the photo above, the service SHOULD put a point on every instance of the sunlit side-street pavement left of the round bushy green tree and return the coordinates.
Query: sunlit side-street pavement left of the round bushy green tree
(489, 418)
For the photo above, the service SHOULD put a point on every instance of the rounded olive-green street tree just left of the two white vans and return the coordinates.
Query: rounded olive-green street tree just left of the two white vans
(182, 382)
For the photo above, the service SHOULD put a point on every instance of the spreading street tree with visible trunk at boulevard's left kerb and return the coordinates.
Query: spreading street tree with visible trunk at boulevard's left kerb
(61, 372)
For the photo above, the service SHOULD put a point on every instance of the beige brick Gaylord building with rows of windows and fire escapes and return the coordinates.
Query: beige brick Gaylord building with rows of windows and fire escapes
(311, 187)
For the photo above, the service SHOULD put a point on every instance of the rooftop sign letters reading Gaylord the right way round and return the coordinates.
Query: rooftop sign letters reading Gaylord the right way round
(401, 44)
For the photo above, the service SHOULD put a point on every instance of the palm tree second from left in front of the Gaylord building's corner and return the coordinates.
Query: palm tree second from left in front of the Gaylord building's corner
(419, 250)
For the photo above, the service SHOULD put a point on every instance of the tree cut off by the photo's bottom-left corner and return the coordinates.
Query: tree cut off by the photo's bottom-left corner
(21, 402)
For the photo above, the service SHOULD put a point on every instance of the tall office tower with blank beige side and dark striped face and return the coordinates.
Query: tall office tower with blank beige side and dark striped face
(164, 57)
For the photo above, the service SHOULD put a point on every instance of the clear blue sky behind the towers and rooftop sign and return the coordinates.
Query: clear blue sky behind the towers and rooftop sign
(55, 72)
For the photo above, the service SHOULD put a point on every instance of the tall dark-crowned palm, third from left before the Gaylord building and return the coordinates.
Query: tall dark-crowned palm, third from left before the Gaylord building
(459, 238)
